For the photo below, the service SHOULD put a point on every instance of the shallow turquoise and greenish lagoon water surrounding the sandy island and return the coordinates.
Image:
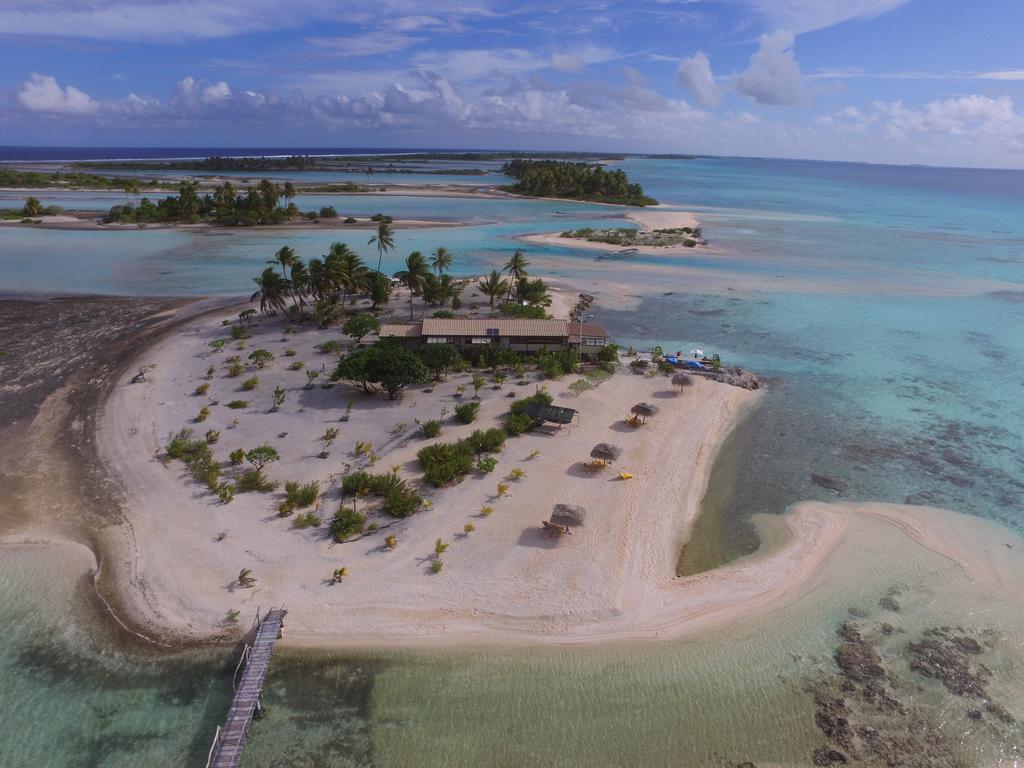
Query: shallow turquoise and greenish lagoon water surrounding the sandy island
(885, 308)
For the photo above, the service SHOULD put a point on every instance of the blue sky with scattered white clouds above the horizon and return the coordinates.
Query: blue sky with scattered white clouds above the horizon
(937, 82)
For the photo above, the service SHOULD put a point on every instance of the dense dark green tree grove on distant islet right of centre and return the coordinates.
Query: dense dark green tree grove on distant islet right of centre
(553, 179)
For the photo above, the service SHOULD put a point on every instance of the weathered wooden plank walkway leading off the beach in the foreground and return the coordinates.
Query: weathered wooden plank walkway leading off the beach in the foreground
(230, 740)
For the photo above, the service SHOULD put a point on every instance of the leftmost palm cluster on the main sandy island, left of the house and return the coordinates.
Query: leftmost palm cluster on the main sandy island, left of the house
(328, 282)
